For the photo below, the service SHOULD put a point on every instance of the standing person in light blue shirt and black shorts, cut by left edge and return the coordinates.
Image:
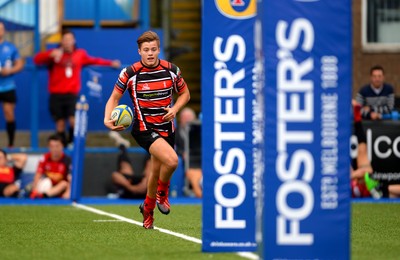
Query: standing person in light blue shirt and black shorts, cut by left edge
(10, 63)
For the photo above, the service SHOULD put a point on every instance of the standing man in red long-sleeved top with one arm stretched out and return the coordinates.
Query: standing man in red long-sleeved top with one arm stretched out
(65, 65)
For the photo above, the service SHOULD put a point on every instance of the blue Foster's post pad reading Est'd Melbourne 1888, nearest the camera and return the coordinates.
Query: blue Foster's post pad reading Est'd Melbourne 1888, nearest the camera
(307, 50)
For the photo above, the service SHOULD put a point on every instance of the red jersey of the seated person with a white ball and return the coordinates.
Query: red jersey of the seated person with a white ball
(54, 170)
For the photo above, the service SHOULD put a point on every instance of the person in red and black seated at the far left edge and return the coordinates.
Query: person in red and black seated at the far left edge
(10, 169)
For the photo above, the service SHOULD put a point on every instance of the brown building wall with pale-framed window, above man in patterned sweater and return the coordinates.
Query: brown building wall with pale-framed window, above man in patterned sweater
(376, 40)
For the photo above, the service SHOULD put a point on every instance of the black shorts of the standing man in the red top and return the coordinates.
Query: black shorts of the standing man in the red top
(62, 106)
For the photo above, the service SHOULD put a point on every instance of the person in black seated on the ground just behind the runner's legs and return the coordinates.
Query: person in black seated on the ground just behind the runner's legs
(130, 185)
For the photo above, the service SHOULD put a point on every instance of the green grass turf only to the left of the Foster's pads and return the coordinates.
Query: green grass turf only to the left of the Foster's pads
(65, 232)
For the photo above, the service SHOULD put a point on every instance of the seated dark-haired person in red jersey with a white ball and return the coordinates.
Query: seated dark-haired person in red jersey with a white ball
(53, 175)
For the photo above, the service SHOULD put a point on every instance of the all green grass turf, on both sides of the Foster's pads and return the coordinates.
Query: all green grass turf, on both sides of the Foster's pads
(66, 232)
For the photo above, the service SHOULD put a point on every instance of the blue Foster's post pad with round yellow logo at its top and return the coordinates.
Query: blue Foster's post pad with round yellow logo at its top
(228, 105)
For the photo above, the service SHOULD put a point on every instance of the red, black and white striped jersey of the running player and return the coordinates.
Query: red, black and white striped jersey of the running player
(151, 90)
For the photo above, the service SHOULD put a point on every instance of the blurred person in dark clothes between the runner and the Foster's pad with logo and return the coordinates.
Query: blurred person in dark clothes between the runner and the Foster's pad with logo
(193, 172)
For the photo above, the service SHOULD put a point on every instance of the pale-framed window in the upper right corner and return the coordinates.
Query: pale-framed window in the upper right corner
(381, 25)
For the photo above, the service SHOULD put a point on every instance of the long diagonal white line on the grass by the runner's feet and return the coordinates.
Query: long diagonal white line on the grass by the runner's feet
(166, 231)
